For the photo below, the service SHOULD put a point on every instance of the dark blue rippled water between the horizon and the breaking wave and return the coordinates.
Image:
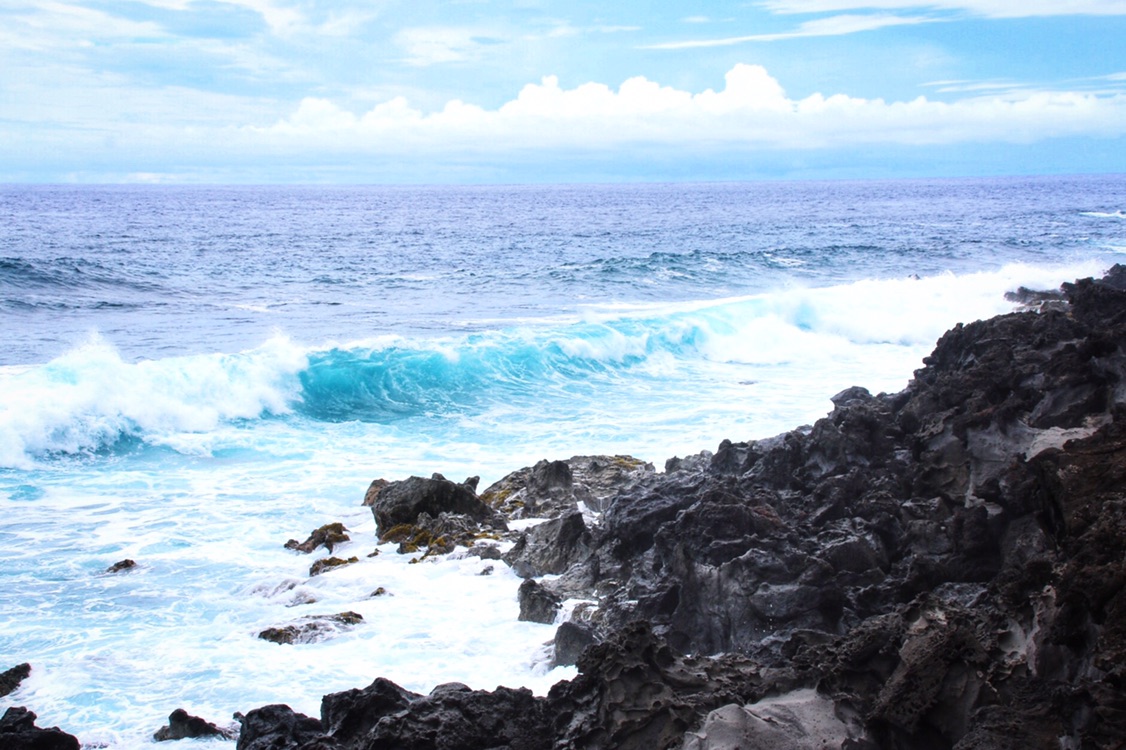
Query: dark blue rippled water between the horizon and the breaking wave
(163, 271)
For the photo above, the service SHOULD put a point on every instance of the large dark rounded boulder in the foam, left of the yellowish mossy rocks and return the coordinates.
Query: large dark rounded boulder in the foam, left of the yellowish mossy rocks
(403, 503)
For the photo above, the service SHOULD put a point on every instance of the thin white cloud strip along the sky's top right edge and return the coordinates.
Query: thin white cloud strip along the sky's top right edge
(988, 8)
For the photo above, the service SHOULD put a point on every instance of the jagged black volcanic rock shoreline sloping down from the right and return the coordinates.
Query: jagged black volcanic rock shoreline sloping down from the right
(939, 568)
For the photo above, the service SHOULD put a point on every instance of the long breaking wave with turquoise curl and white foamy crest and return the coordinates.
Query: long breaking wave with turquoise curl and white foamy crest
(92, 400)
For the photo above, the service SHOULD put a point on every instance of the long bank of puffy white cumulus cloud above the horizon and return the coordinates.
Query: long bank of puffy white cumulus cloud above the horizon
(752, 112)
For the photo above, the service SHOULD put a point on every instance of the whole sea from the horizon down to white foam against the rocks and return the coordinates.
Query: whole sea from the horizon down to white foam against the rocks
(191, 377)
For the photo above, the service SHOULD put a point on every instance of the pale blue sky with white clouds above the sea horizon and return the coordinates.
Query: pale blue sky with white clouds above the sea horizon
(476, 92)
